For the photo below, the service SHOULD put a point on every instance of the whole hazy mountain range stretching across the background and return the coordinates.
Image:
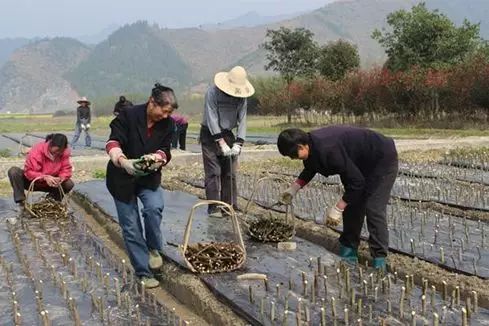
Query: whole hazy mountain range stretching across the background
(135, 56)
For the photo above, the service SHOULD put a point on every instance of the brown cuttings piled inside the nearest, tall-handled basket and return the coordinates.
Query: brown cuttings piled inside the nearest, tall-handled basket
(214, 257)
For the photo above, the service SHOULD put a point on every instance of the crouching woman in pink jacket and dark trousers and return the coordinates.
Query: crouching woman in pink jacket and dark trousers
(49, 160)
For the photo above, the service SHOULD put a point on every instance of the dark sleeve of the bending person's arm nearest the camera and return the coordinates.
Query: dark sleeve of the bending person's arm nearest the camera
(351, 177)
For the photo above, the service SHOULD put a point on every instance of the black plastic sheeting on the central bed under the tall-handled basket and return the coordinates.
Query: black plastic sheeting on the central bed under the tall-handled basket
(281, 268)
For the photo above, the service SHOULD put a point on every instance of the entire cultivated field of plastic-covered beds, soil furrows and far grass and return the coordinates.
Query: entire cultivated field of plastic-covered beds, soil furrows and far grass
(438, 267)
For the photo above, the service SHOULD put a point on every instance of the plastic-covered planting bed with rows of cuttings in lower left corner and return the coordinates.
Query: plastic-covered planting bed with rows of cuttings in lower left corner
(59, 273)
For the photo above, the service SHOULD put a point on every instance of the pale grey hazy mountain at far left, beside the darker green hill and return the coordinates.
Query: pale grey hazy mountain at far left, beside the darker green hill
(31, 81)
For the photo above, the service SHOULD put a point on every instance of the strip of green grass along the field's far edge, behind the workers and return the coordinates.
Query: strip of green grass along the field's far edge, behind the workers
(263, 125)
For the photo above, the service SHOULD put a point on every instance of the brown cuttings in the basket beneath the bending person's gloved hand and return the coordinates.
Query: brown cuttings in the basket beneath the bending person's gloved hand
(271, 230)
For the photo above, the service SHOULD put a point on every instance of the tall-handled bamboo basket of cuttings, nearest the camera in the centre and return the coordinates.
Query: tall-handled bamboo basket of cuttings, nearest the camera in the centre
(200, 248)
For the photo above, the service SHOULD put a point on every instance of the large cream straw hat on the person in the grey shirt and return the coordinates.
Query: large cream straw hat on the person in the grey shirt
(234, 83)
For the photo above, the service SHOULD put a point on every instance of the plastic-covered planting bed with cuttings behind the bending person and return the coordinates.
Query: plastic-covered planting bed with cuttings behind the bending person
(453, 242)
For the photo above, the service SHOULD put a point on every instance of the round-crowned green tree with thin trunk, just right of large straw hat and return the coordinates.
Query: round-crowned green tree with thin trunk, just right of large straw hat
(292, 53)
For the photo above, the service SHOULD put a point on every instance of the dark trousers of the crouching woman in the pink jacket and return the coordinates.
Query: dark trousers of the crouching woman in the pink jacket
(20, 183)
